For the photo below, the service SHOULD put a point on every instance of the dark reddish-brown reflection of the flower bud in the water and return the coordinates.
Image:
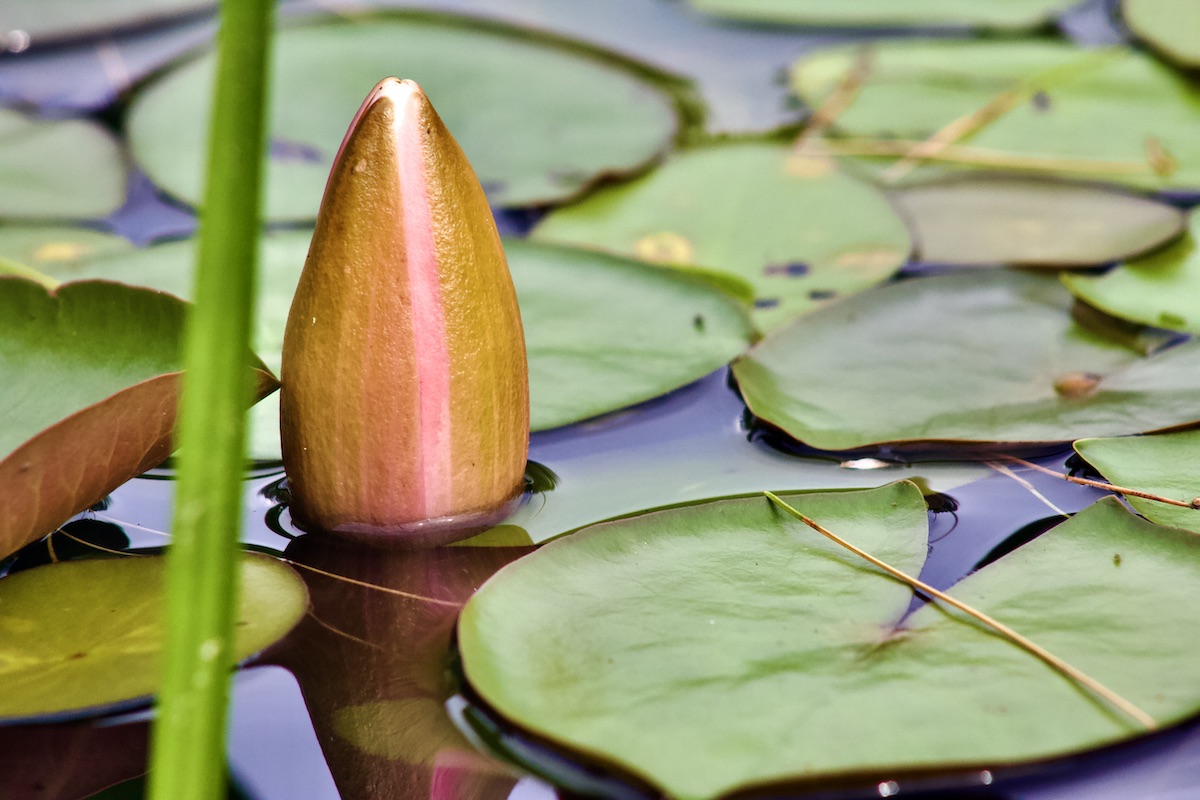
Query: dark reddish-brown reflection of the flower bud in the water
(373, 660)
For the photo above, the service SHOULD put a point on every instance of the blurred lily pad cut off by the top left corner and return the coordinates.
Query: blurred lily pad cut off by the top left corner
(55, 20)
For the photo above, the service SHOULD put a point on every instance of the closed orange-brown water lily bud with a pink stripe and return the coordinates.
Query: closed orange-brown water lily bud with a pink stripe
(405, 402)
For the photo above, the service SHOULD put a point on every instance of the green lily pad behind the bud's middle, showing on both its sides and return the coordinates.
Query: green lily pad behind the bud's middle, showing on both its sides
(603, 333)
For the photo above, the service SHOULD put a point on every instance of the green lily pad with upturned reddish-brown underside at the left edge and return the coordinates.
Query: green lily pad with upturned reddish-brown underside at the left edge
(91, 384)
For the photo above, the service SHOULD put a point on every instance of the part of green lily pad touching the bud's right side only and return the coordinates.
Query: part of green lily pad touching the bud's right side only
(604, 333)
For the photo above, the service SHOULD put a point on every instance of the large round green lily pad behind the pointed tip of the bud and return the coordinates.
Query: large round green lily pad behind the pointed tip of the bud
(541, 119)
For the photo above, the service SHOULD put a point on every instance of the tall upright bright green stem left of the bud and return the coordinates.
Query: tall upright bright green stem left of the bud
(188, 749)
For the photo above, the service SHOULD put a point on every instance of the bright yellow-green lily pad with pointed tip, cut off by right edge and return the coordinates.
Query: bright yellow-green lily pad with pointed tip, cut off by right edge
(1161, 290)
